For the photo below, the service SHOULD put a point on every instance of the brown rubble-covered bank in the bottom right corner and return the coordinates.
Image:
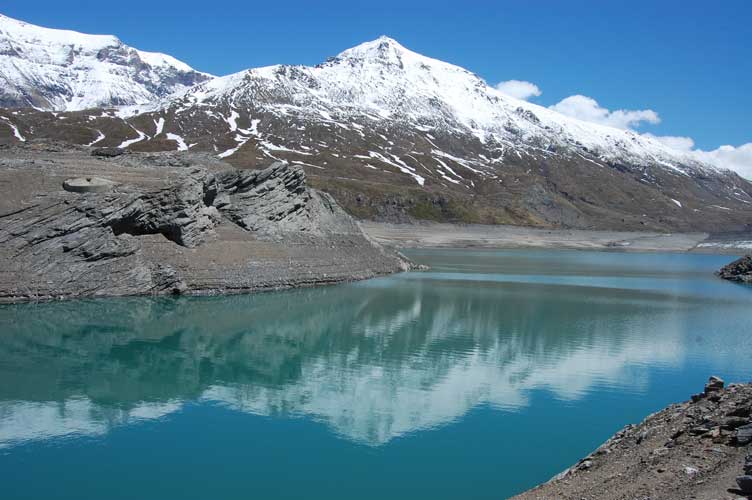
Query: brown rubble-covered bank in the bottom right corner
(699, 449)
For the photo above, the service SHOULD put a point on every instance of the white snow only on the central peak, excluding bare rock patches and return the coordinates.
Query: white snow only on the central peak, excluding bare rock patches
(468, 109)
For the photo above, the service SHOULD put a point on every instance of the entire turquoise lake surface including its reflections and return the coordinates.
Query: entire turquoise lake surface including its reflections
(478, 379)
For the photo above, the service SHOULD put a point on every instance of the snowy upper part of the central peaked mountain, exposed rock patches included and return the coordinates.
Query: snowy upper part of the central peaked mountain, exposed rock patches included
(382, 81)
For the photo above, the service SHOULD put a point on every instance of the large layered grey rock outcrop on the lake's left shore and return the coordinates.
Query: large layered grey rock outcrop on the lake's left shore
(73, 224)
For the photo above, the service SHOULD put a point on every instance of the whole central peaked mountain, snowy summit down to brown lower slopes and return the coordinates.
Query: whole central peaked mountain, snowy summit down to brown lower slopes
(397, 136)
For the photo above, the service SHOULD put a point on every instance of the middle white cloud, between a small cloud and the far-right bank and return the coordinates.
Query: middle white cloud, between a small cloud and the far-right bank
(588, 109)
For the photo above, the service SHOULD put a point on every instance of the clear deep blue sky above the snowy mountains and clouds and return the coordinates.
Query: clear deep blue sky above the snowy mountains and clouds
(689, 61)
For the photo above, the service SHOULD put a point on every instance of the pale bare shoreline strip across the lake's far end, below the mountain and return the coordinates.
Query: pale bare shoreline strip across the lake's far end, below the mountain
(429, 234)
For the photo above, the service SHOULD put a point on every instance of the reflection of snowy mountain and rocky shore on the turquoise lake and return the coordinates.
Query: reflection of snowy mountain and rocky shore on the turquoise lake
(373, 360)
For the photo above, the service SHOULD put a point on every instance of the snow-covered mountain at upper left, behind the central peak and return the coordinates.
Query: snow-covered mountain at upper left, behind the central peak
(65, 70)
